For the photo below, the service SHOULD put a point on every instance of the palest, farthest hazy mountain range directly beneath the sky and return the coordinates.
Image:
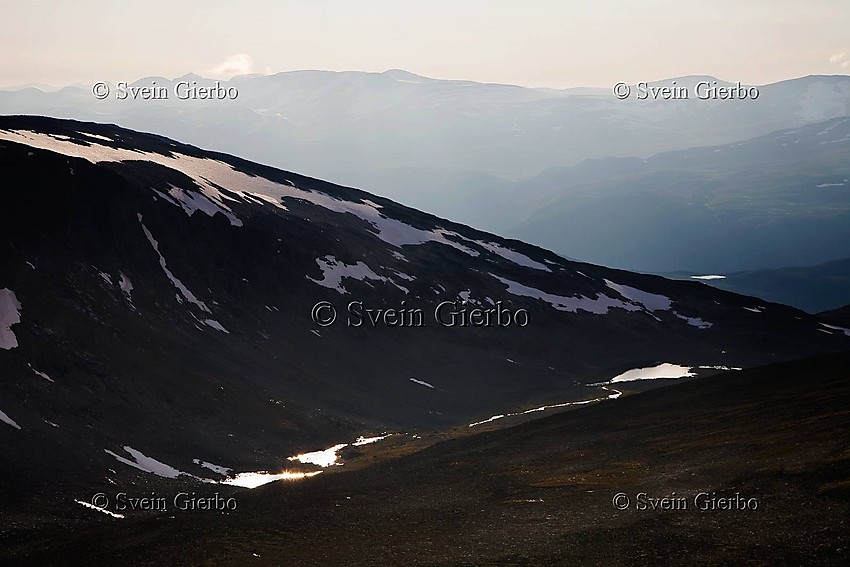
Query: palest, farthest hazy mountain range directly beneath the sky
(358, 128)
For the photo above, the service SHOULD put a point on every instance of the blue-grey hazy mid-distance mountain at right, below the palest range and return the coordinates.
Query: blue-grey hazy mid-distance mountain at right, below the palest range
(770, 202)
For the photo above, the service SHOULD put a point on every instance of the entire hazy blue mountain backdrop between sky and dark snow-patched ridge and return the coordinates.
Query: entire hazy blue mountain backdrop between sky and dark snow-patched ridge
(509, 159)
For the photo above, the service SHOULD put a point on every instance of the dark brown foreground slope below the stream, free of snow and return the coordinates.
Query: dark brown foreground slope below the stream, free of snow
(775, 438)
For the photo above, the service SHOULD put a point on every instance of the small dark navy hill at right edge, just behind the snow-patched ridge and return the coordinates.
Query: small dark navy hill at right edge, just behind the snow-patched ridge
(810, 288)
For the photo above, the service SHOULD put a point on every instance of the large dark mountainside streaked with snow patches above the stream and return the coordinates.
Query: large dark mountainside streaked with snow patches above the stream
(157, 327)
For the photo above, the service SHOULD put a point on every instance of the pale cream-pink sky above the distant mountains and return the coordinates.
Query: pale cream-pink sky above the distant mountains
(541, 43)
